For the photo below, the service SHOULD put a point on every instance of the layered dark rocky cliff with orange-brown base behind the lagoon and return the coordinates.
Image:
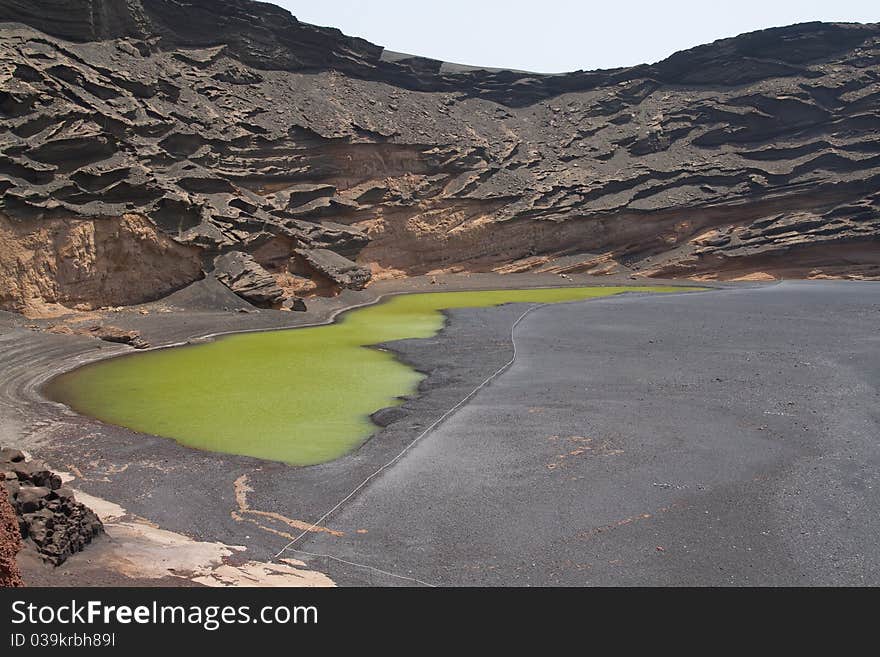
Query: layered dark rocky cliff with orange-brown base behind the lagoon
(197, 128)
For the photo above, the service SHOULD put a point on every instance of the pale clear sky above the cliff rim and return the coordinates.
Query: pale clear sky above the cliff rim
(555, 36)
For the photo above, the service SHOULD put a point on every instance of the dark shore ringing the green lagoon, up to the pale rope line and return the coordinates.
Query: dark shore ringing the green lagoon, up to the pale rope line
(150, 476)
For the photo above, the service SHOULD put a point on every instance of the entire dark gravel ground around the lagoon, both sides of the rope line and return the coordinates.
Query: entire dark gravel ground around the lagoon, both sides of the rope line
(726, 437)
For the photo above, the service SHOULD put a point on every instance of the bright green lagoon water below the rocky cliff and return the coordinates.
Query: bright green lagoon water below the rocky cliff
(302, 396)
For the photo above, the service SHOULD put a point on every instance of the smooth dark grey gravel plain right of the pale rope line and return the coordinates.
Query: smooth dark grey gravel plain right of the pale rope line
(726, 438)
